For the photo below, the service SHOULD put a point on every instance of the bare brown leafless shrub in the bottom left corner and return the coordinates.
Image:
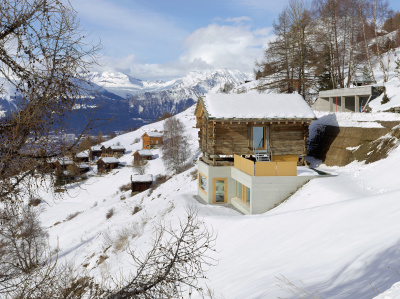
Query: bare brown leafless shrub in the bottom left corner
(28, 269)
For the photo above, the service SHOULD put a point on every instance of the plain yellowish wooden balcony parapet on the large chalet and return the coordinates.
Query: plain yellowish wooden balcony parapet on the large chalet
(265, 168)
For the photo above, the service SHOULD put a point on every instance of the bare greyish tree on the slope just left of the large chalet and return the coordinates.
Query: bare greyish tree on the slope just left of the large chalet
(175, 148)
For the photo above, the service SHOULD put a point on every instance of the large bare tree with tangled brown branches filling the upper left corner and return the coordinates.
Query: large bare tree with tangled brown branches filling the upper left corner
(44, 58)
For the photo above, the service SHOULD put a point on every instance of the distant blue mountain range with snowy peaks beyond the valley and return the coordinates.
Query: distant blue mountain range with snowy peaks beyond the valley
(129, 102)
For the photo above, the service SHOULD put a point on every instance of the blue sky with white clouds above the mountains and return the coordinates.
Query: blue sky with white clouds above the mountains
(162, 39)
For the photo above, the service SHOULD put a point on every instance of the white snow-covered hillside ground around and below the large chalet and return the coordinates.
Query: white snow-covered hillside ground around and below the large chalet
(337, 236)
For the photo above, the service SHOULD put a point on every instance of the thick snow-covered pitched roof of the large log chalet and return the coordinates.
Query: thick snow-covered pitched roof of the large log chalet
(256, 106)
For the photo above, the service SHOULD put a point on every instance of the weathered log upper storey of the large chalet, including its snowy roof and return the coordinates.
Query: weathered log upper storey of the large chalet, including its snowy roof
(282, 135)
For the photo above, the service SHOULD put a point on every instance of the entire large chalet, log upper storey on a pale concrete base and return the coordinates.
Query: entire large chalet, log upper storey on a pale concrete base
(251, 145)
